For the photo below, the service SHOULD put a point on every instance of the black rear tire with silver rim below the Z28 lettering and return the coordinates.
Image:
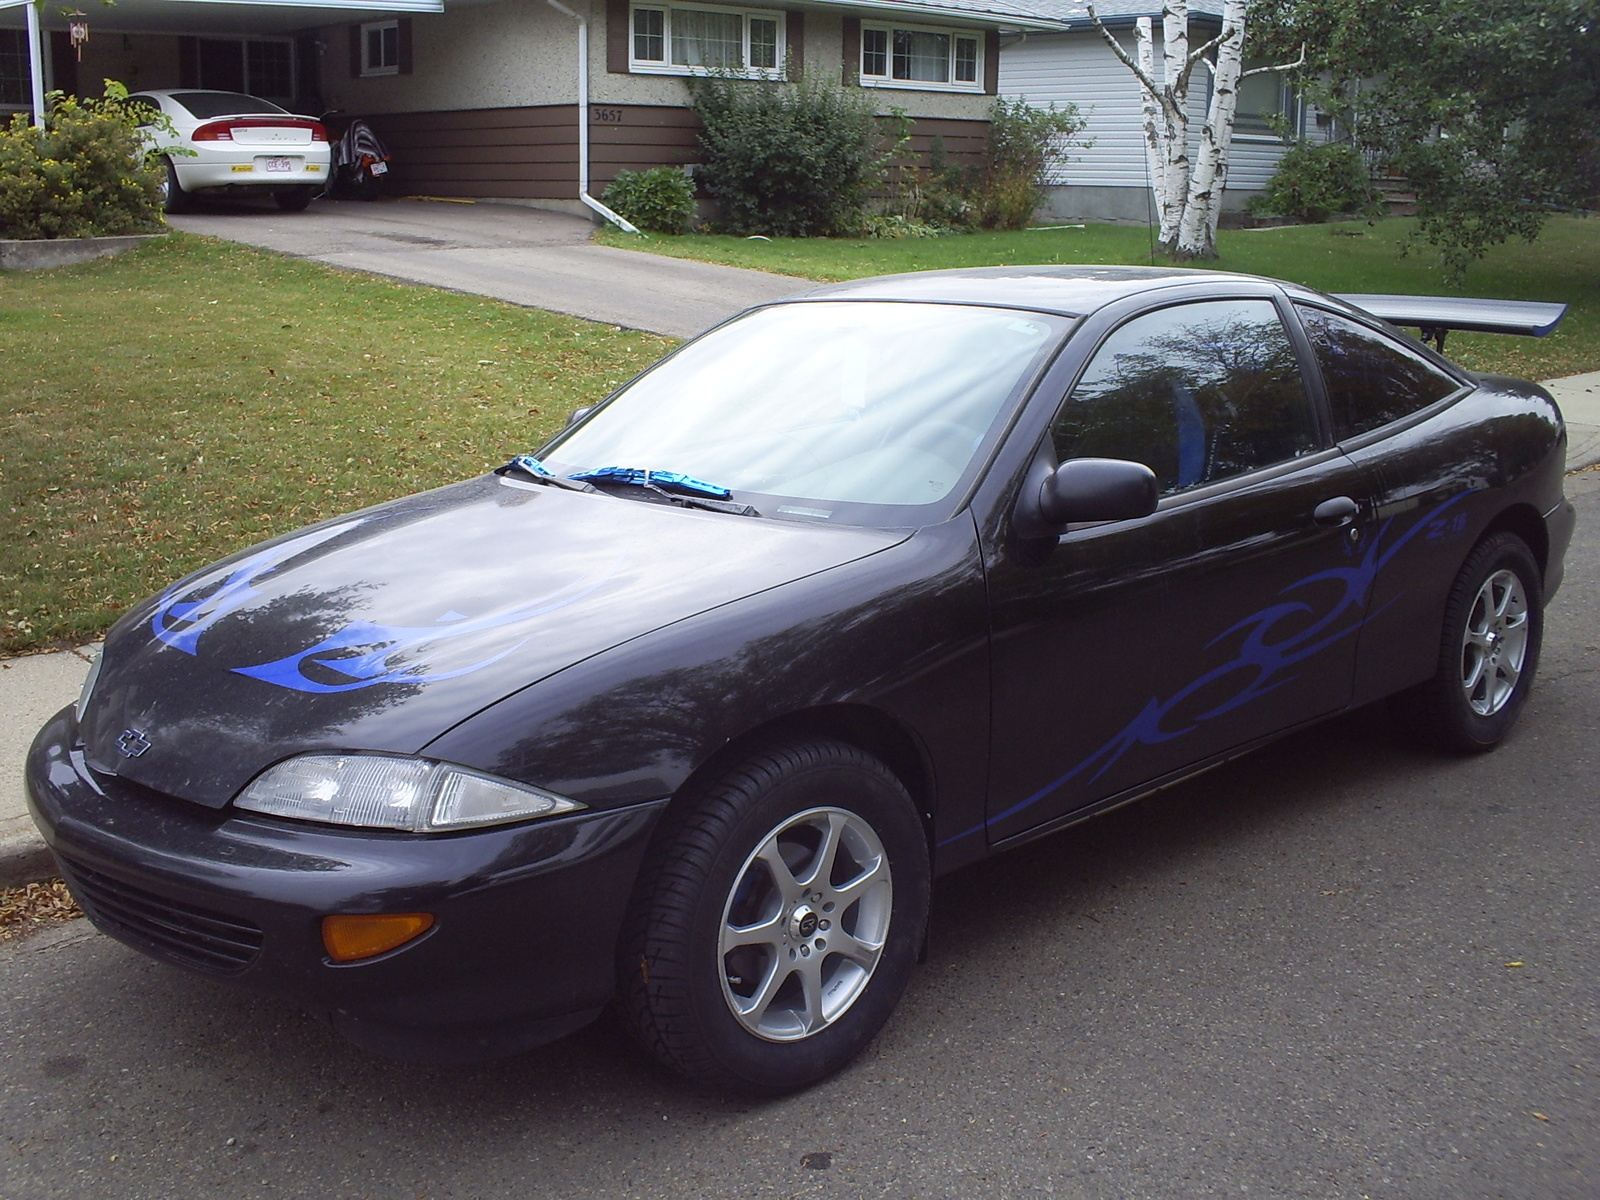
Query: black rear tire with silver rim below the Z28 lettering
(1489, 652)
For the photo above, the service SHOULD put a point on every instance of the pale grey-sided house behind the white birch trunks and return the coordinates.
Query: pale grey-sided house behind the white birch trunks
(1110, 180)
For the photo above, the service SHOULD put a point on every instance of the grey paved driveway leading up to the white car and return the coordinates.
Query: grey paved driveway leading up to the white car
(508, 252)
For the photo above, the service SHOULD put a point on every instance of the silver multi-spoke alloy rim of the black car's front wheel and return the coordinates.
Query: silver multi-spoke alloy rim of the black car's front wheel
(806, 924)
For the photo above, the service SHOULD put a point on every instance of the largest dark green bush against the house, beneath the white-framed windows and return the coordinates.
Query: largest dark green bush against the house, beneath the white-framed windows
(786, 159)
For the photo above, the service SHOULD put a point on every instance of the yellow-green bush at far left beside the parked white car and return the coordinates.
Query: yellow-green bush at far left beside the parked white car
(87, 174)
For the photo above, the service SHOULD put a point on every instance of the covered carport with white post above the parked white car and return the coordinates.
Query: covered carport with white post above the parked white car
(268, 49)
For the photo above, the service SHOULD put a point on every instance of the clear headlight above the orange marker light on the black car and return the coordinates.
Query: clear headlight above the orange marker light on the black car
(380, 791)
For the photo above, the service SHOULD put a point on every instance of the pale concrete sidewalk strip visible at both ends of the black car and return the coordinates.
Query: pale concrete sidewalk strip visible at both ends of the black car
(33, 689)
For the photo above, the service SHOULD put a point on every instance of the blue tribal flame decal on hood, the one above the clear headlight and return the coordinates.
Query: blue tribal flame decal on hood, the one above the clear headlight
(383, 644)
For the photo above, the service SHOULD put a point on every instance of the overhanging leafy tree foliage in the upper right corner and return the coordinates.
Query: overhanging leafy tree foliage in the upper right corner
(1489, 108)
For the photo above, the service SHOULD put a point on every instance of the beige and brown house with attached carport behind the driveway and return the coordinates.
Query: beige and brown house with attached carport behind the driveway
(482, 98)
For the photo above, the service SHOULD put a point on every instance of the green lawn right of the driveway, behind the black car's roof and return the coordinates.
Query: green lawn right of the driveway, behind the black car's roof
(1564, 265)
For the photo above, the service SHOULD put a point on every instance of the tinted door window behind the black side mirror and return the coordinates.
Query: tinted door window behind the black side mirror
(1198, 393)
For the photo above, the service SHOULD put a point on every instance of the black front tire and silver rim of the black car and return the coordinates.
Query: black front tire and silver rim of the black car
(706, 878)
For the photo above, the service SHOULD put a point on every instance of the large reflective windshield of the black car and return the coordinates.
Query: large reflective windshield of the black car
(858, 412)
